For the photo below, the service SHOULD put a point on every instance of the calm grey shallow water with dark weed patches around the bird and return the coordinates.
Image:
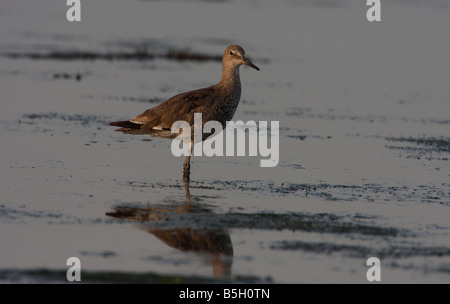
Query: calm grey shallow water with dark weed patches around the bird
(364, 143)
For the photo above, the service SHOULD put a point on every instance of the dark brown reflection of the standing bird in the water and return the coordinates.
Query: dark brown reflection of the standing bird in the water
(215, 243)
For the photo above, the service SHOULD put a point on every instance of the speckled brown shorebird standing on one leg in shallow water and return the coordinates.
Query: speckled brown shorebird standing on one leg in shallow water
(217, 102)
